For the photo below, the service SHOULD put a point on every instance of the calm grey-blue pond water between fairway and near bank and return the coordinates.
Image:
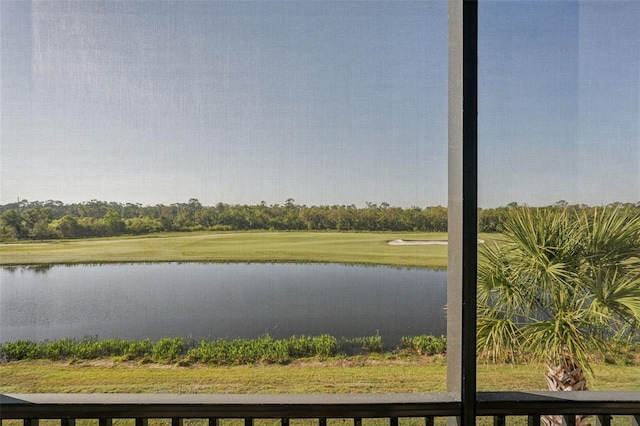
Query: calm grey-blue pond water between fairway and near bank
(139, 301)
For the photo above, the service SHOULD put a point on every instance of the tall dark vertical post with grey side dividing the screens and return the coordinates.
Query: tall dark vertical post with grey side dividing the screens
(463, 205)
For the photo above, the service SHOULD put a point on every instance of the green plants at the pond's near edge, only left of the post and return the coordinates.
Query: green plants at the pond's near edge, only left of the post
(265, 349)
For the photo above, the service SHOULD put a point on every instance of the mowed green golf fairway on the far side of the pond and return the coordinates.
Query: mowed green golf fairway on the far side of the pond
(349, 248)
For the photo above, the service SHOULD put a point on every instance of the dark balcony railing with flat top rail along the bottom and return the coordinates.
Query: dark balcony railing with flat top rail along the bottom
(105, 407)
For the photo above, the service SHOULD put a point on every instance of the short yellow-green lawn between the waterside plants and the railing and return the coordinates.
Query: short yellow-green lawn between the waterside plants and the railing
(349, 375)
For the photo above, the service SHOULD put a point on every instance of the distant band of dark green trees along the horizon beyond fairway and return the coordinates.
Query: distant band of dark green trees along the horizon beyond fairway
(39, 220)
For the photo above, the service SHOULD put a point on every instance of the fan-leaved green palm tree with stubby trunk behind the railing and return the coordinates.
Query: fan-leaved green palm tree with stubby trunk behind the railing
(561, 285)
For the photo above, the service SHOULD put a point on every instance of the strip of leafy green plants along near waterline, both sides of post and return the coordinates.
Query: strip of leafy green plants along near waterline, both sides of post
(264, 350)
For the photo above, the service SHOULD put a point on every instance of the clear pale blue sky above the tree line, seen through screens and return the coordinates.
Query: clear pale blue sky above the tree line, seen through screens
(324, 102)
